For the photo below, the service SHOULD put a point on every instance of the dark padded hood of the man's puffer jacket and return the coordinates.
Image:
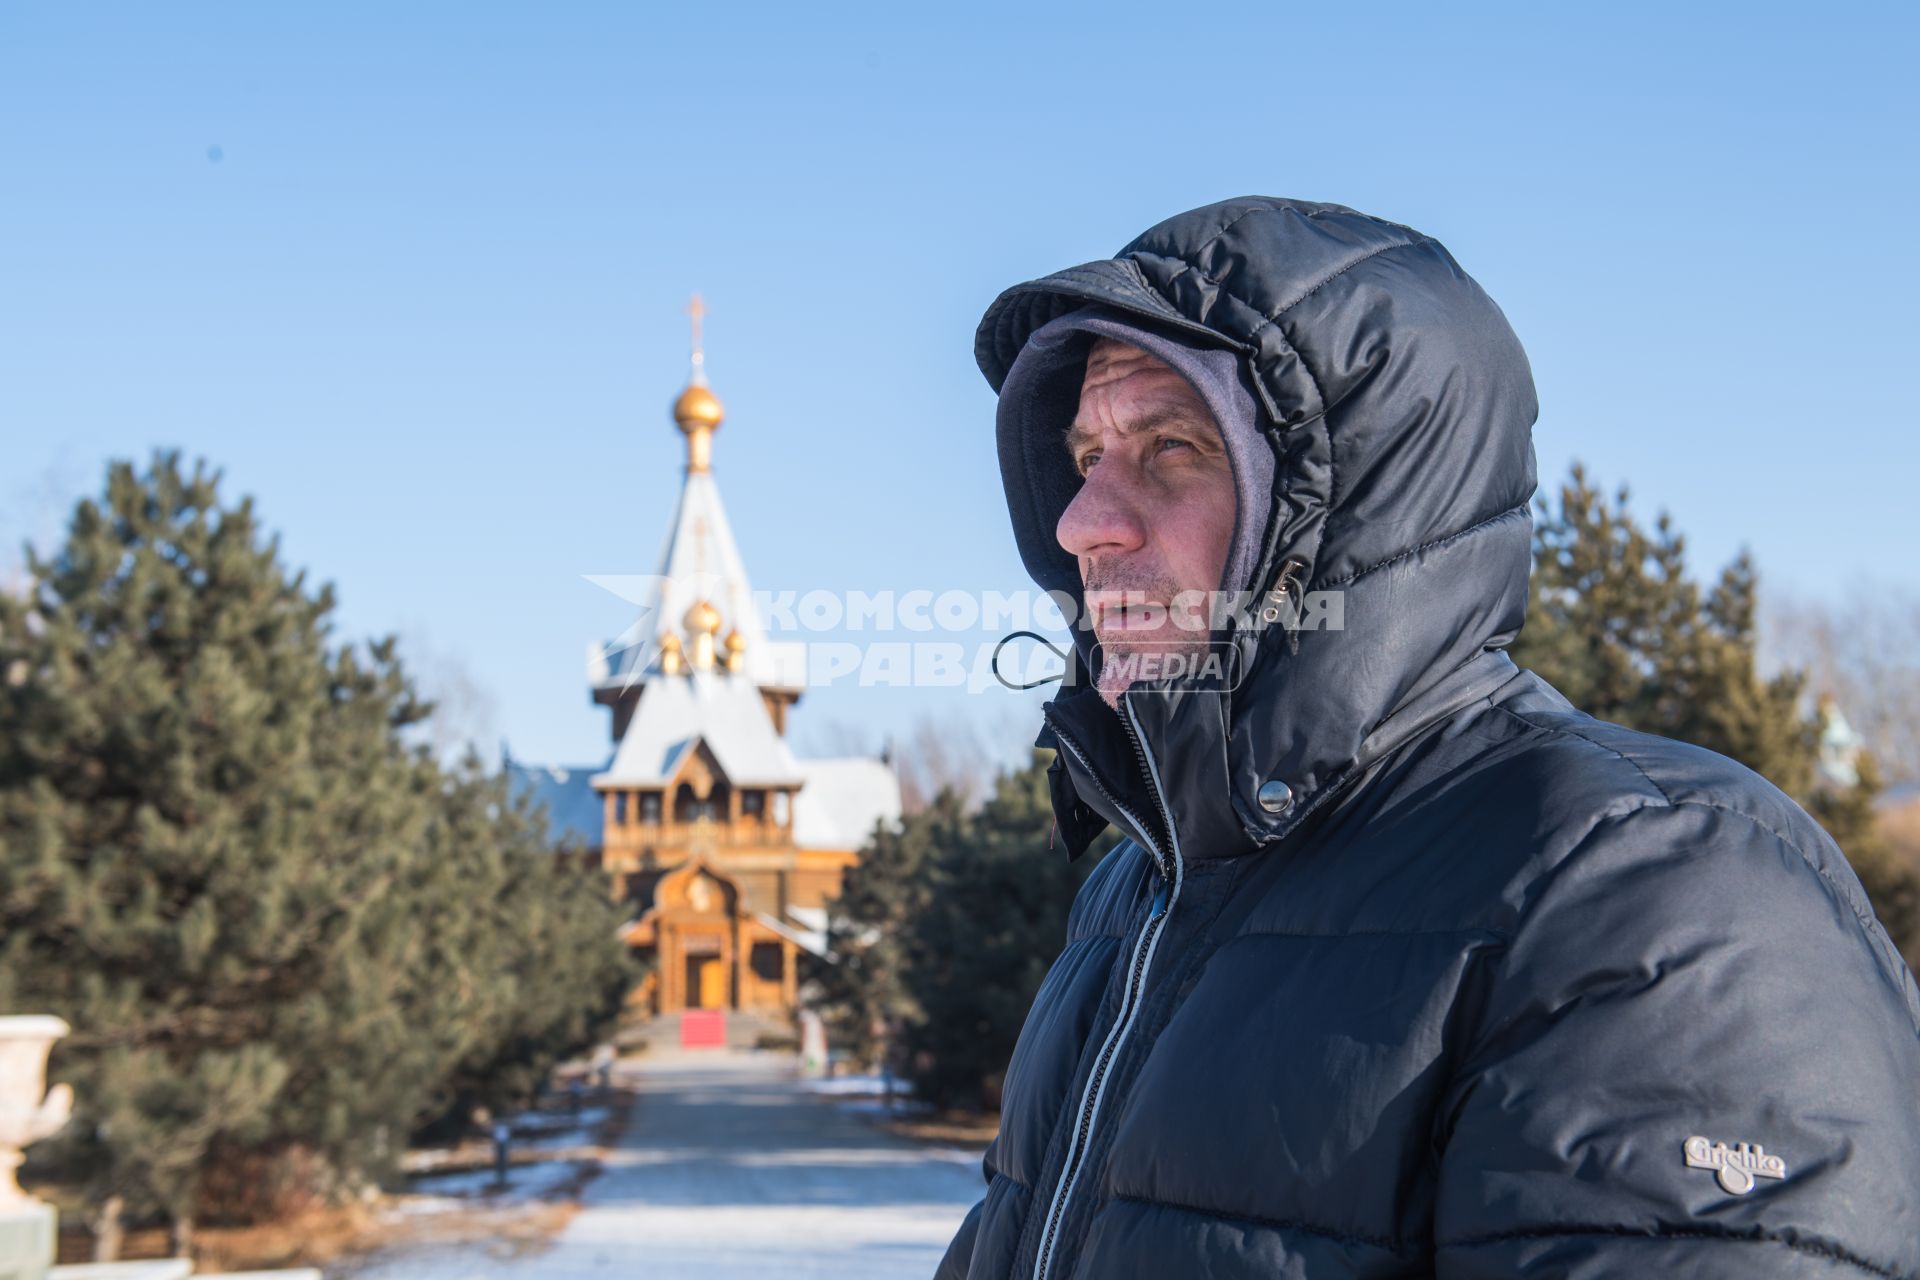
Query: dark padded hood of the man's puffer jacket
(1399, 408)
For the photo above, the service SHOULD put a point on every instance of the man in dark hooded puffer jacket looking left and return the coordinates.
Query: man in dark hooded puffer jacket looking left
(1406, 968)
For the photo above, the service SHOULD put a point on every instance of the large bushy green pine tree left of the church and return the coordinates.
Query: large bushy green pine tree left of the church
(226, 866)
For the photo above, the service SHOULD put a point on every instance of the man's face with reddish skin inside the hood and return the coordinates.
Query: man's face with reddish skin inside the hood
(1155, 515)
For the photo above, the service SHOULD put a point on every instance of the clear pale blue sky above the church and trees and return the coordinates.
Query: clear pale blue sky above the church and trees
(427, 300)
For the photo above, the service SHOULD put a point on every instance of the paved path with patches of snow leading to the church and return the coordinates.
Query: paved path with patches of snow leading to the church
(731, 1172)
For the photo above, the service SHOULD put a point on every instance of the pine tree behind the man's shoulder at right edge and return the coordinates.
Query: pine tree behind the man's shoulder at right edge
(1618, 625)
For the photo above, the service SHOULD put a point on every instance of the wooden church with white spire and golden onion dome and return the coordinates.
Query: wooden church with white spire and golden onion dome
(723, 841)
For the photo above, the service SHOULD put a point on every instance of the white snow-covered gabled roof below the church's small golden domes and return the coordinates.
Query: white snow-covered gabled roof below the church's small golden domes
(719, 709)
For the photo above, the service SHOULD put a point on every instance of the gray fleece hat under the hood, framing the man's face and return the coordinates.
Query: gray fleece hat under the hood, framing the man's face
(1040, 400)
